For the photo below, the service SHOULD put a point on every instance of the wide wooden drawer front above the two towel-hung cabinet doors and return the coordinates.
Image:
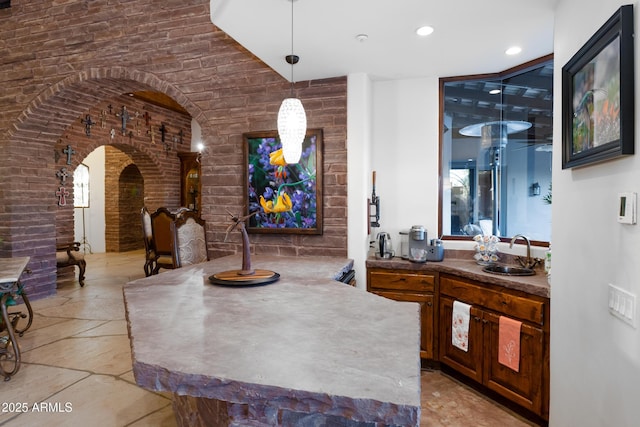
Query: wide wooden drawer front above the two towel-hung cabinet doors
(508, 304)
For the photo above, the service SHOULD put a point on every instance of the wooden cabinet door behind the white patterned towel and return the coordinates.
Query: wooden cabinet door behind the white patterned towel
(468, 362)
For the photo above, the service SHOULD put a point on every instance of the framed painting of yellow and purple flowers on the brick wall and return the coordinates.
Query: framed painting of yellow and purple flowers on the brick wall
(286, 198)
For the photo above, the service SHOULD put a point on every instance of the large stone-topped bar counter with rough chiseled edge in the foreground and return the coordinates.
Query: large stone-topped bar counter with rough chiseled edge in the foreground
(305, 350)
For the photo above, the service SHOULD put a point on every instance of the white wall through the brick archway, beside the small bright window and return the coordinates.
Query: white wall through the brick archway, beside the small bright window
(94, 214)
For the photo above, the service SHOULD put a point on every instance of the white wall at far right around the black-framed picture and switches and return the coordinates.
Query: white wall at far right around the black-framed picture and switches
(595, 358)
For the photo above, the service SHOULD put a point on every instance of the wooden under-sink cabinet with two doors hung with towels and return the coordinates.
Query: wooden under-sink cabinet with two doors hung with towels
(529, 386)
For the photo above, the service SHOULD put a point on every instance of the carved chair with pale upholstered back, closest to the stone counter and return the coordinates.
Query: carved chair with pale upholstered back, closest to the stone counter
(190, 239)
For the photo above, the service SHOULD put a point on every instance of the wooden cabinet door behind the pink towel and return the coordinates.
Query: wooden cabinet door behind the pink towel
(525, 386)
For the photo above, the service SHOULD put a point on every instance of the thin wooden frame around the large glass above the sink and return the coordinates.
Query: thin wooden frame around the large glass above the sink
(443, 80)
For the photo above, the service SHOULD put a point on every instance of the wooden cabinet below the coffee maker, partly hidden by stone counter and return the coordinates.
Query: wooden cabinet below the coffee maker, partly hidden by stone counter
(401, 285)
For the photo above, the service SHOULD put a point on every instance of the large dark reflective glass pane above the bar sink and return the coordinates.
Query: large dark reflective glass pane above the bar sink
(496, 148)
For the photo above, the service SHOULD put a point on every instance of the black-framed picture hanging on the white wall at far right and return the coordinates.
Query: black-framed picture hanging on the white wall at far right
(598, 95)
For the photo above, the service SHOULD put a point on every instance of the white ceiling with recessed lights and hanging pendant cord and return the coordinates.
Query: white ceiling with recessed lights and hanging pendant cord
(470, 36)
